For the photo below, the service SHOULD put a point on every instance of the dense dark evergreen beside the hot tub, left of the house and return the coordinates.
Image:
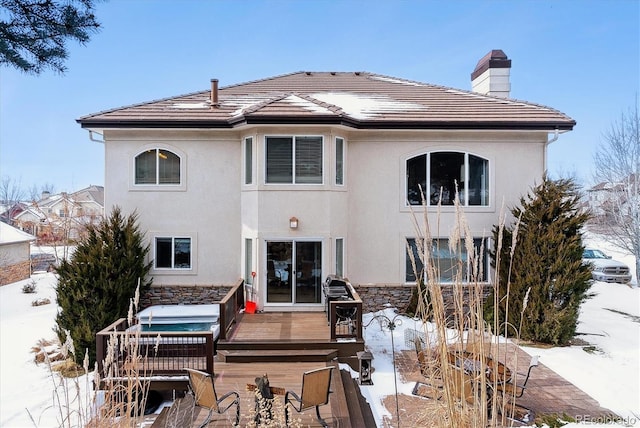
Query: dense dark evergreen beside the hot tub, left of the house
(95, 286)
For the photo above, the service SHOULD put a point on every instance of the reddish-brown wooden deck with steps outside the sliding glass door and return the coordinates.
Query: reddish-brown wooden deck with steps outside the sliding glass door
(283, 346)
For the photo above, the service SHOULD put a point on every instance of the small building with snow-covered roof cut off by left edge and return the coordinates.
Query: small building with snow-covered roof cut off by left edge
(15, 253)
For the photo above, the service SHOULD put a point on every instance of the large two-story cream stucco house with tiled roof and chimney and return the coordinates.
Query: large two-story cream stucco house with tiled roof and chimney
(298, 176)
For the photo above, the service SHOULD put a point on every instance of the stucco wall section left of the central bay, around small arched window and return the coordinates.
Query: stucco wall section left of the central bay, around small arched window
(206, 208)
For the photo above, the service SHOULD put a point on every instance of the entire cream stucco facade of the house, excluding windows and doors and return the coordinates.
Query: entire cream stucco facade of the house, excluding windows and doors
(219, 211)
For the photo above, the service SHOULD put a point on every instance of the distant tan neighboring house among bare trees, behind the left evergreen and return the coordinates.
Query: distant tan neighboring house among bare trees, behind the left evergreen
(63, 216)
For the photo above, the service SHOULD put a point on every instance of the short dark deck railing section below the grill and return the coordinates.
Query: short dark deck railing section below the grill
(345, 317)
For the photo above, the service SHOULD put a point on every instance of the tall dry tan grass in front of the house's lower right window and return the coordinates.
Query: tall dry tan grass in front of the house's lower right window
(453, 316)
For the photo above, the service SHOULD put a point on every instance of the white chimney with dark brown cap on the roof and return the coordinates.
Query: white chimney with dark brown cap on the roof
(491, 76)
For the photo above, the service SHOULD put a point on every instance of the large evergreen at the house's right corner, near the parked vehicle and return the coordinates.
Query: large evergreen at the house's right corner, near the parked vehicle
(546, 265)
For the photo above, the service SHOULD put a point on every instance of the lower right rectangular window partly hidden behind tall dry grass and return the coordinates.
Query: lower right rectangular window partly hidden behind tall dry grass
(447, 263)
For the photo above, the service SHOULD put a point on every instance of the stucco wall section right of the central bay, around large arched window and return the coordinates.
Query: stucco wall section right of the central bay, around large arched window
(379, 220)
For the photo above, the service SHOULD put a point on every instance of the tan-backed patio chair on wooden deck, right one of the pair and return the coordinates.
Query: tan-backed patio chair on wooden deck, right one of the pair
(315, 393)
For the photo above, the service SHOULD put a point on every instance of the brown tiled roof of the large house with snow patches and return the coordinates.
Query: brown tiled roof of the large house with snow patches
(359, 100)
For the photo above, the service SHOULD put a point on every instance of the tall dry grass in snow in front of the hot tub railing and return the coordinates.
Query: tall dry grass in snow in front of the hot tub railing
(114, 398)
